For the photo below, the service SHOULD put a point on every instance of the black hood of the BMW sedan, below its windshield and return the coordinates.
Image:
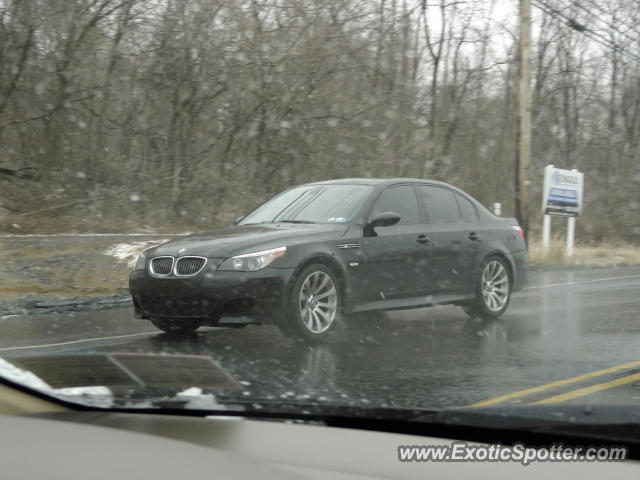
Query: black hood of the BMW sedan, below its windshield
(247, 238)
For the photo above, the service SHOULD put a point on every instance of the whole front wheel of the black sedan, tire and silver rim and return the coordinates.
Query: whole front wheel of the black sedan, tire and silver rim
(314, 305)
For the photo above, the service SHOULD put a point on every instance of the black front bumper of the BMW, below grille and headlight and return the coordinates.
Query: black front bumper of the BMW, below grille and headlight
(211, 294)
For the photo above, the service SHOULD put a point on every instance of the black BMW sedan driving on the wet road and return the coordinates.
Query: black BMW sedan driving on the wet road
(323, 252)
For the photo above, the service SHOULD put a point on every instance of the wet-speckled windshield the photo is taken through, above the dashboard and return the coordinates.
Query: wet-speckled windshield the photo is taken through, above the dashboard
(393, 205)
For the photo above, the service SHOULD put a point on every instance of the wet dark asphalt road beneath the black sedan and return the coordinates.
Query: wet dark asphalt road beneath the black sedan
(565, 323)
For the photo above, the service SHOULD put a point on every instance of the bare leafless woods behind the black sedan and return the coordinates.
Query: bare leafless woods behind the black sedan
(168, 114)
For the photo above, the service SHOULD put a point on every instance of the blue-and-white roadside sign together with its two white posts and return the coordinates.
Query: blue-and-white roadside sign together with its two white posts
(561, 196)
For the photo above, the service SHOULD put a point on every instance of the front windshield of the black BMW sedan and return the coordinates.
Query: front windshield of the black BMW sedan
(312, 204)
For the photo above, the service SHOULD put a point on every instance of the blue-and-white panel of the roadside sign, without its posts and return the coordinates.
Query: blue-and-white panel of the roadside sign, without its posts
(562, 192)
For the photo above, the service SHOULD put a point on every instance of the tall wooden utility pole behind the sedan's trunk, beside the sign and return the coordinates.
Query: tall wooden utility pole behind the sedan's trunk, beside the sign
(523, 151)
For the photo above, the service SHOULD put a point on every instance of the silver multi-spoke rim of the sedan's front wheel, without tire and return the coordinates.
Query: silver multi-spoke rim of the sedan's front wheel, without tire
(318, 302)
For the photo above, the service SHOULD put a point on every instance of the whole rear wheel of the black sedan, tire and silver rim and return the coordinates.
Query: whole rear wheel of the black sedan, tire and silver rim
(493, 289)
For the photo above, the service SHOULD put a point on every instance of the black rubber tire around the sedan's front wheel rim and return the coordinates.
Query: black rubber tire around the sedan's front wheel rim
(291, 322)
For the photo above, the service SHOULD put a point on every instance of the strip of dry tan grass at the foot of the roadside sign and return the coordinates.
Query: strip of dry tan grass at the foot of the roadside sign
(601, 255)
